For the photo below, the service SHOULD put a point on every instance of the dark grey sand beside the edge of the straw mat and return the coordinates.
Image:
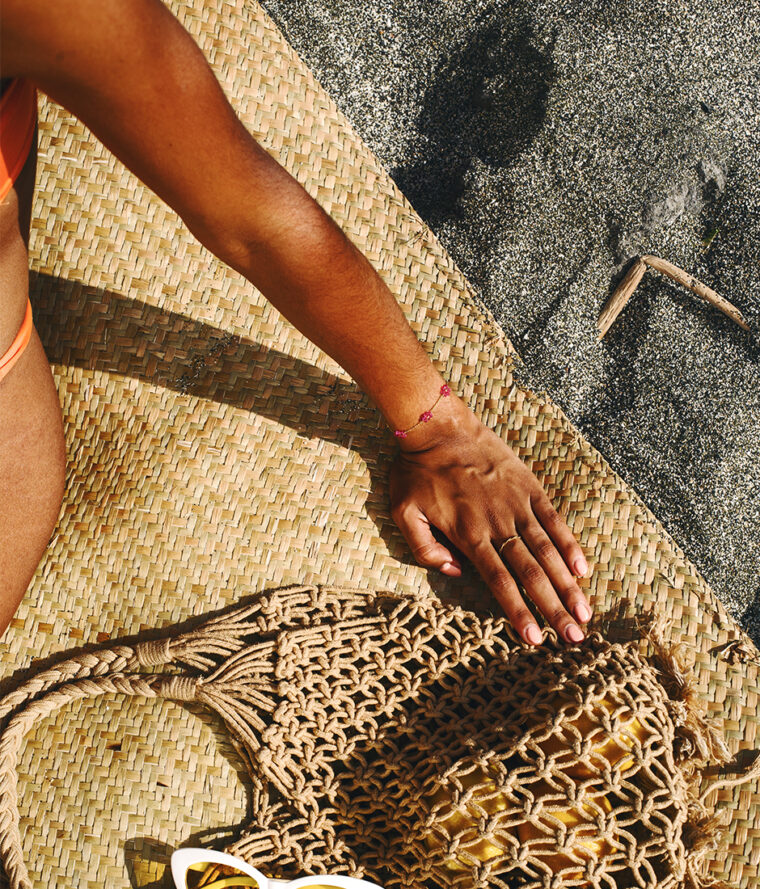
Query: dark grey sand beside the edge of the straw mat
(547, 144)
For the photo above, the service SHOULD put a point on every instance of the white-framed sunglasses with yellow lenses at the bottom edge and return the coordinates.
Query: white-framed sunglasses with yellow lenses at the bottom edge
(206, 869)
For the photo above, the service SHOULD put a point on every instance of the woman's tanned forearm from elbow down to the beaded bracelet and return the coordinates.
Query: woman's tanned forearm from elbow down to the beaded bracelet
(294, 253)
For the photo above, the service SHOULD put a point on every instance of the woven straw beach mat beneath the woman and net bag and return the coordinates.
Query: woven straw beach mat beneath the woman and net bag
(214, 452)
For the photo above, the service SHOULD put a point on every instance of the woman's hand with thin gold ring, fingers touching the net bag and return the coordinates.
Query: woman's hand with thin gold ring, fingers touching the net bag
(459, 476)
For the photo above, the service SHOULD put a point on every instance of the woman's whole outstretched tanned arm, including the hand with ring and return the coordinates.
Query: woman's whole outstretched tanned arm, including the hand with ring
(134, 76)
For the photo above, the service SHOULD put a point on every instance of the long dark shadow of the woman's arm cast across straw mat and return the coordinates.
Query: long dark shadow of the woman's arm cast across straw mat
(91, 328)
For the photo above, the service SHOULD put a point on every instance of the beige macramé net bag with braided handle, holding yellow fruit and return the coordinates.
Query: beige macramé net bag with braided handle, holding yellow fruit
(419, 745)
